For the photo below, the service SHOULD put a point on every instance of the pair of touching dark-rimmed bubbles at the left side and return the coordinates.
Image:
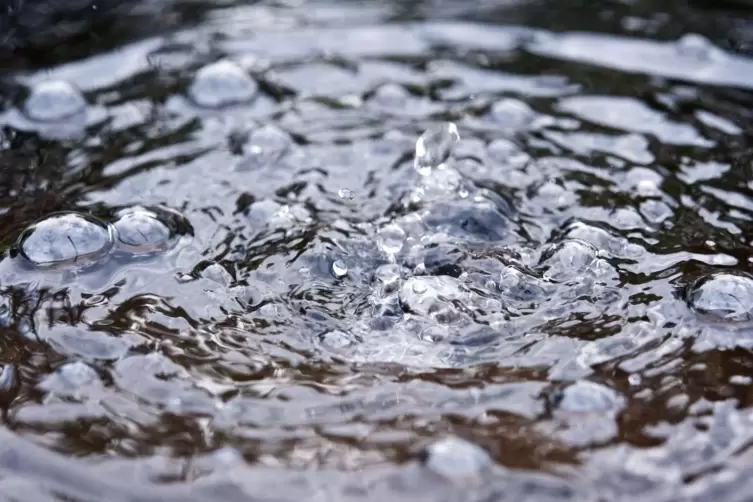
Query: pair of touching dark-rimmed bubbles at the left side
(77, 239)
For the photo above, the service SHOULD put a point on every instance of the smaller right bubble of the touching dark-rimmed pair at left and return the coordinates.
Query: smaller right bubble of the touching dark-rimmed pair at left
(142, 230)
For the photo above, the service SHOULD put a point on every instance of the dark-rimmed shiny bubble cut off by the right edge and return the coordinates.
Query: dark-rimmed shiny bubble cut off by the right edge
(725, 295)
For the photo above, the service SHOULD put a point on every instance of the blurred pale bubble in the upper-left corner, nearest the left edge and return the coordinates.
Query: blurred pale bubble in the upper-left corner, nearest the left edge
(53, 101)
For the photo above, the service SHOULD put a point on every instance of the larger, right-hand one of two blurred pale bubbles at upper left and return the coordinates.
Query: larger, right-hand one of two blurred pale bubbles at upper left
(220, 84)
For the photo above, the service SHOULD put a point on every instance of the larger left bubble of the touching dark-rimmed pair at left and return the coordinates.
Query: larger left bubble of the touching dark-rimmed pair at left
(65, 238)
